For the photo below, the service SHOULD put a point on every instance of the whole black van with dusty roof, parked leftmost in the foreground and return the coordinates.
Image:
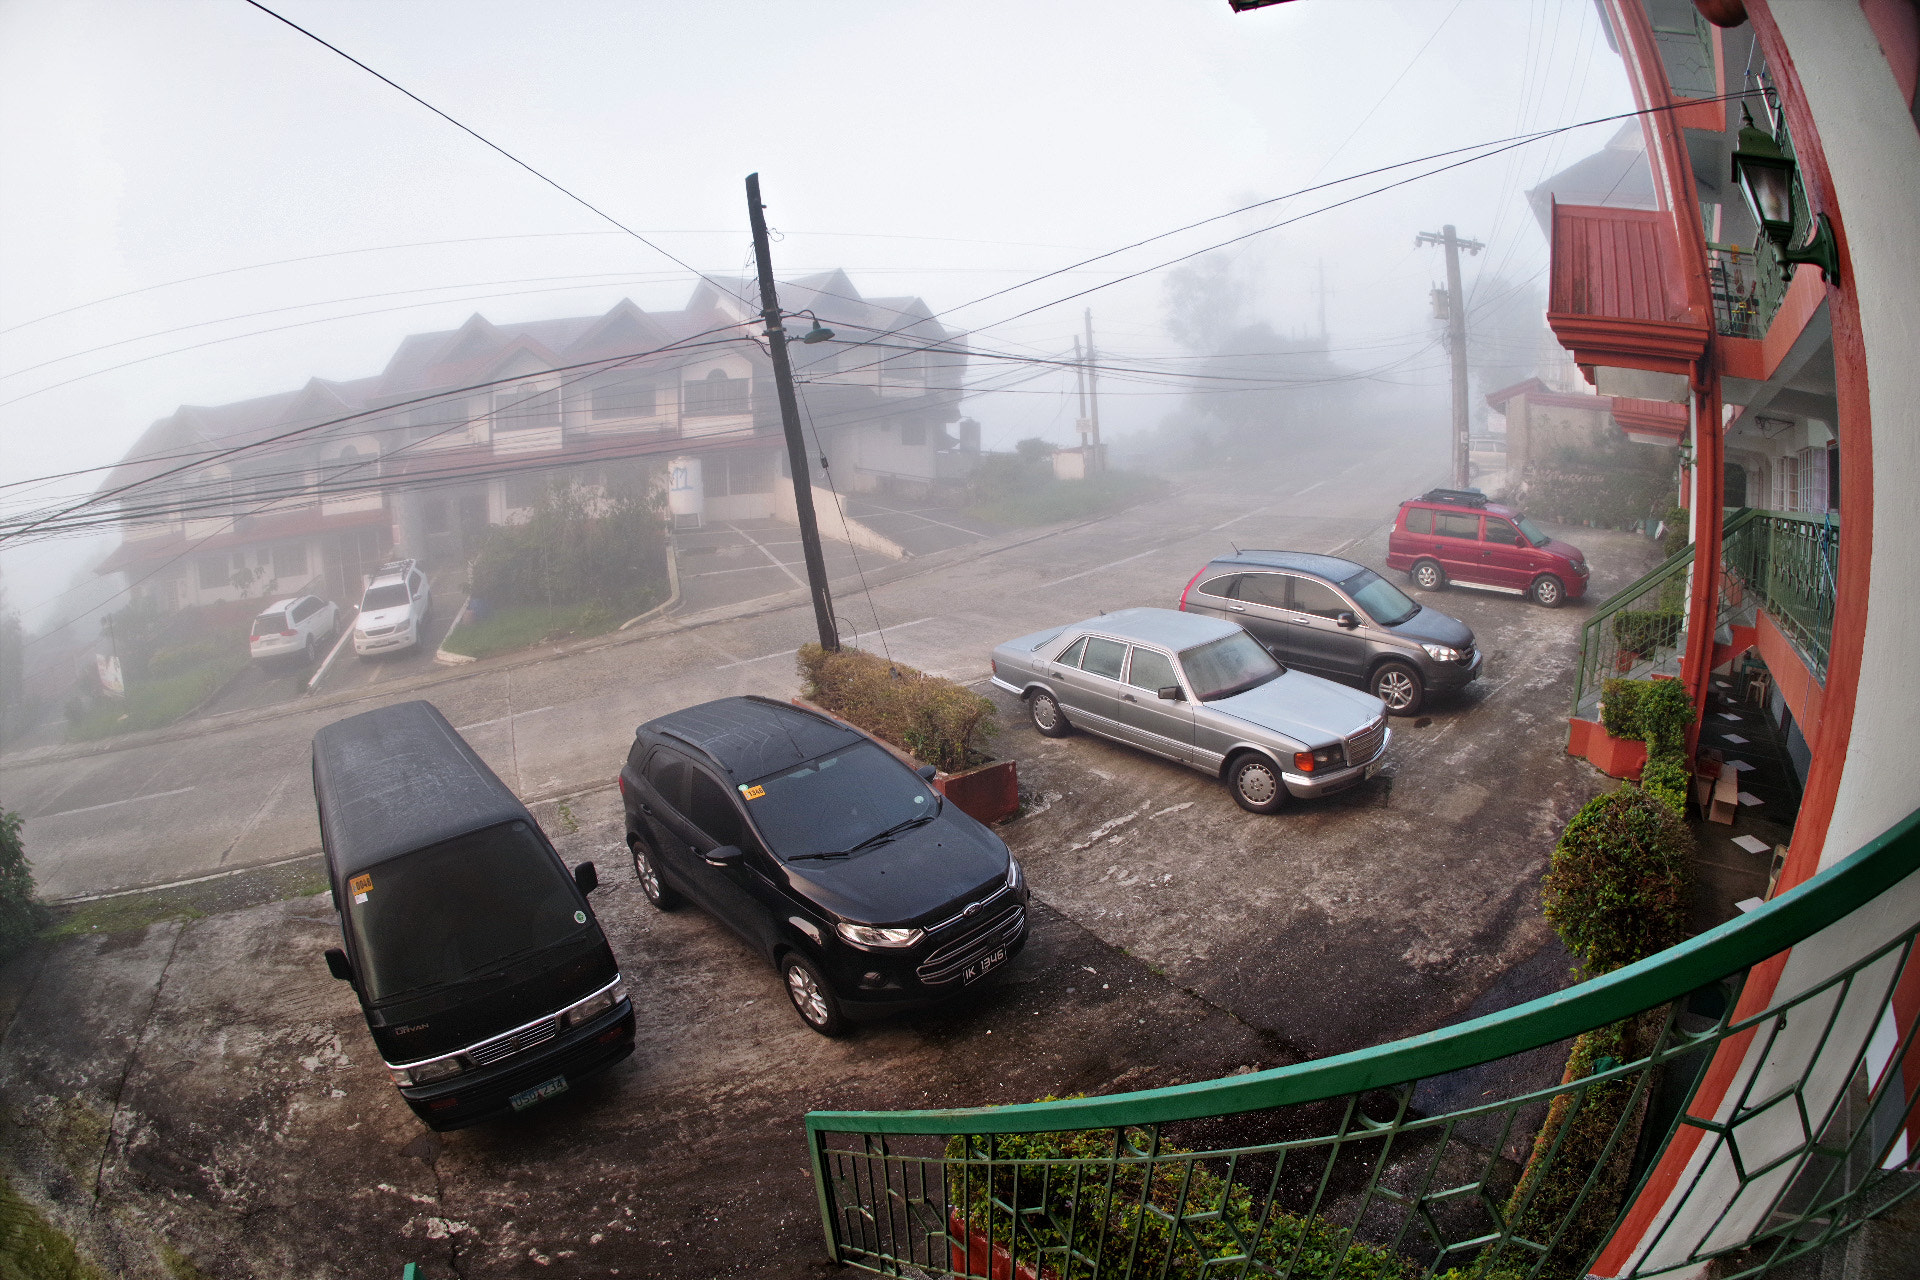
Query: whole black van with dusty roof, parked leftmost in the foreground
(485, 978)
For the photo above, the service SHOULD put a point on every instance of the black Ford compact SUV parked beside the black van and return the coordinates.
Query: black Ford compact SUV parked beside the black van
(830, 857)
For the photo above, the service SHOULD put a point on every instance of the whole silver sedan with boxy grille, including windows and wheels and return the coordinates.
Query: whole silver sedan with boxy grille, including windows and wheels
(1205, 694)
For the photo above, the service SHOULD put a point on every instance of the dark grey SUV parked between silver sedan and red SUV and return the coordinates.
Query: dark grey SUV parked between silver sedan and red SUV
(1341, 621)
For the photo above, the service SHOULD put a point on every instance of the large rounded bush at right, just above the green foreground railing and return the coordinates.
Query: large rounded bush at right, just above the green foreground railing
(1618, 888)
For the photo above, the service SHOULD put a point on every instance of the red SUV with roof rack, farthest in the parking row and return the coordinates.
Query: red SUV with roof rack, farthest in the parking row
(1458, 536)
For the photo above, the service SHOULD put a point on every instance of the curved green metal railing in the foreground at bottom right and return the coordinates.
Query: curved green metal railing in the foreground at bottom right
(1401, 1162)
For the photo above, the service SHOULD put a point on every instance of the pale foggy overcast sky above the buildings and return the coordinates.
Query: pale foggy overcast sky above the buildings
(932, 149)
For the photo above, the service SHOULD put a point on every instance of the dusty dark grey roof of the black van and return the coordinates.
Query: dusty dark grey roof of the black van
(396, 780)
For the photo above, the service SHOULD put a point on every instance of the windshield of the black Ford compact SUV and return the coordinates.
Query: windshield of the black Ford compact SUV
(834, 803)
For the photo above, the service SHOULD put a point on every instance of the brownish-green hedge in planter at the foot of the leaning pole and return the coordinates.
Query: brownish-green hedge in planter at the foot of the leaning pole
(932, 719)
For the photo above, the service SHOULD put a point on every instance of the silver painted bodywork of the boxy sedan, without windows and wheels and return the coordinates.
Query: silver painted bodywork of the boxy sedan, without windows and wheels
(1293, 713)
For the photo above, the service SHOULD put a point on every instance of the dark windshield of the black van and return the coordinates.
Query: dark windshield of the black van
(458, 911)
